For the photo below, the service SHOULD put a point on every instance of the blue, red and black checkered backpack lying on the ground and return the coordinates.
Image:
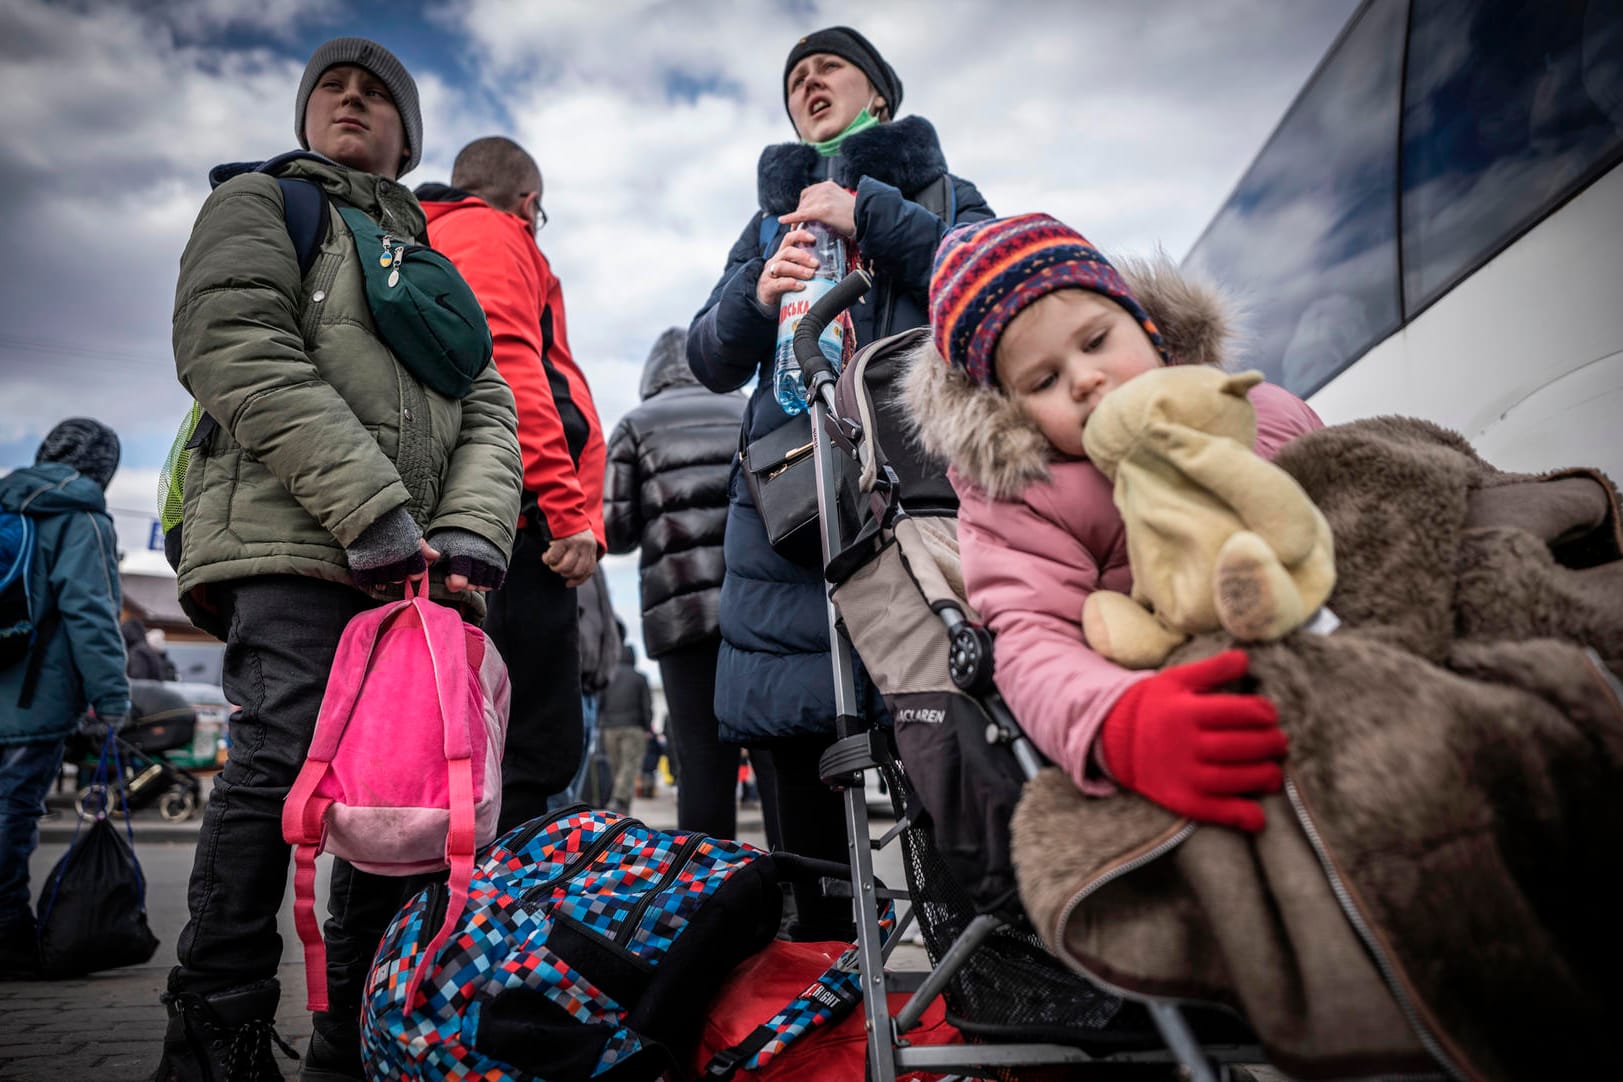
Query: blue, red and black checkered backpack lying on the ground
(590, 950)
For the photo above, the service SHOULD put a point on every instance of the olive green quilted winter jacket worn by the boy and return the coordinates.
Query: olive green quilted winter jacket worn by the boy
(322, 431)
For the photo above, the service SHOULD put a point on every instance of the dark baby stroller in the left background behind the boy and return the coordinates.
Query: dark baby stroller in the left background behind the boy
(160, 721)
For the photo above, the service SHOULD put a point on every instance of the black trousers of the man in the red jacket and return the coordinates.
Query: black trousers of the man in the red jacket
(535, 624)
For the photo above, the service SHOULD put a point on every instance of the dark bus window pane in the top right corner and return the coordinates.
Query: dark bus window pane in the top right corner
(1510, 108)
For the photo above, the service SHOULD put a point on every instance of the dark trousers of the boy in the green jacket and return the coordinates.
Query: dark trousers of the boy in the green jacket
(283, 637)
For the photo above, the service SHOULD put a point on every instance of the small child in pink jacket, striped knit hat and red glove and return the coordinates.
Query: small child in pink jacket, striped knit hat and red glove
(1028, 346)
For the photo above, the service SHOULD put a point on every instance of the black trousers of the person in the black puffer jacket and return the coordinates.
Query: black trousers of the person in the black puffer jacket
(708, 770)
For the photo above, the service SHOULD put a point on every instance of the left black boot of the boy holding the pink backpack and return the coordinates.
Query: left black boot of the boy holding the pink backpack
(223, 1037)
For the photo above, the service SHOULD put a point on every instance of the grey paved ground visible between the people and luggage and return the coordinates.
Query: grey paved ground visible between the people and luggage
(110, 1028)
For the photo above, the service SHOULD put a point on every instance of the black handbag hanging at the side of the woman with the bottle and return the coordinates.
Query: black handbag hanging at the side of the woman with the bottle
(781, 476)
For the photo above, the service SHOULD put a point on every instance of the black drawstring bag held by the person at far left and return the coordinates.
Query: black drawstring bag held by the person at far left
(93, 911)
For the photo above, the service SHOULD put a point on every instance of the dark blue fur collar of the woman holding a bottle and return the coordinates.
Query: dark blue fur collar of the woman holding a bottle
(903, 153)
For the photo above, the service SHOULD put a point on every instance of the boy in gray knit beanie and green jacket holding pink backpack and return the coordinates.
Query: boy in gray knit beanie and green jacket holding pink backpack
(330, 476)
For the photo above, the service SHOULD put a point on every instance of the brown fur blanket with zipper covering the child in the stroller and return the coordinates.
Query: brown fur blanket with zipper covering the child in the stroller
(1429, 888)
